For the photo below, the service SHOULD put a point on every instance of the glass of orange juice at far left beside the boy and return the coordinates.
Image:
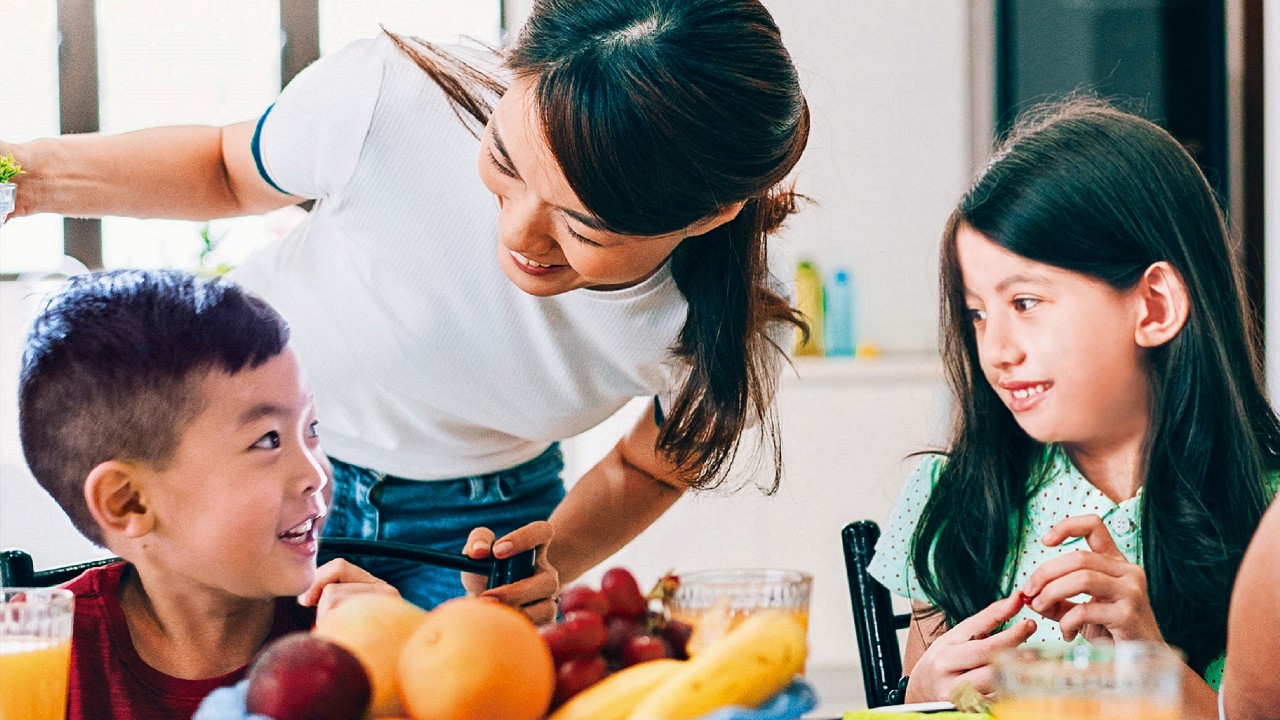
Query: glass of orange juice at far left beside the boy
(35, 653)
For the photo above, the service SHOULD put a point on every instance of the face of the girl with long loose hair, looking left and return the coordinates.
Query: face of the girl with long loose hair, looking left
(1058, 348)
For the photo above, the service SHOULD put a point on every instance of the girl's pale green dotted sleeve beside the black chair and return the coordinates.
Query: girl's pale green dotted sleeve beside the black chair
(892, 564)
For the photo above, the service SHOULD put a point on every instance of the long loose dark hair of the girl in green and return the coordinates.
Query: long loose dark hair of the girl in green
(1089, 189)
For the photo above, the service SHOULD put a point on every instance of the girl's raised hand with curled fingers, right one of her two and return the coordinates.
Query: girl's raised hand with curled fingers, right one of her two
(1121, 608)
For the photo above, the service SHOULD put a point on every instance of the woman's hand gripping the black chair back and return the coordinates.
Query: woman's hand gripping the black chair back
(534, 596)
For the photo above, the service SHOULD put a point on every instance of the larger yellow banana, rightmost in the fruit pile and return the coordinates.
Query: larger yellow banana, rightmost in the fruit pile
(749, 666)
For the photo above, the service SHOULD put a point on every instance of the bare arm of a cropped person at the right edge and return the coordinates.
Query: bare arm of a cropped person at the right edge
(1252, 681)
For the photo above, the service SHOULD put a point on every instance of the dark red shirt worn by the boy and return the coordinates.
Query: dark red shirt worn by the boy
(111, 682)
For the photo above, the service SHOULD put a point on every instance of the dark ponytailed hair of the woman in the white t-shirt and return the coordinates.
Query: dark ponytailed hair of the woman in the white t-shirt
(664, 113)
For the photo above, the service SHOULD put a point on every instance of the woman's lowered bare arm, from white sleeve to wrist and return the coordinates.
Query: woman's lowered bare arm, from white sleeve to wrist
(614, 503)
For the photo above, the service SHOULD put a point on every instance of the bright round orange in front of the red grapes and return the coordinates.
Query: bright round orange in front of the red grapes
(476, 659)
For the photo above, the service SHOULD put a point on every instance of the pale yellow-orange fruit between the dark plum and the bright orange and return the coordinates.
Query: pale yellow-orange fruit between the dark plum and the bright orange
(374, 628)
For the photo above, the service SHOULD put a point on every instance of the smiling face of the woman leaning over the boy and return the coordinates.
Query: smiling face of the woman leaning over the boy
(548, 243)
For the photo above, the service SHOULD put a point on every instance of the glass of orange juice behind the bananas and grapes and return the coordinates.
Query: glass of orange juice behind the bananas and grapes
(716, 601)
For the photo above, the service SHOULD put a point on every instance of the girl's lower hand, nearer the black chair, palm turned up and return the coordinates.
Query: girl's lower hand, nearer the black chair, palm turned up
(966, 653)
